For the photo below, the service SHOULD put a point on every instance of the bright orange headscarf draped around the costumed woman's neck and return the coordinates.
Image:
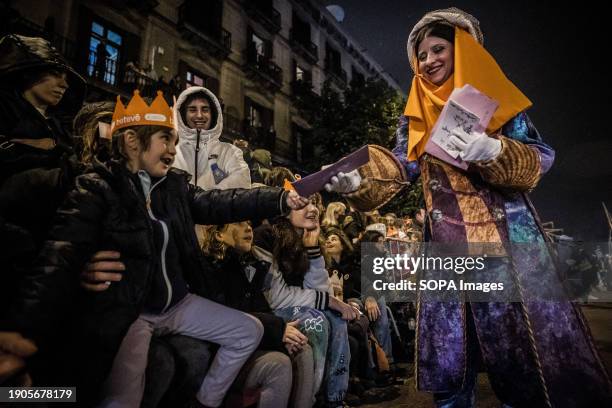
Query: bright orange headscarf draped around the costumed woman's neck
(472, 65)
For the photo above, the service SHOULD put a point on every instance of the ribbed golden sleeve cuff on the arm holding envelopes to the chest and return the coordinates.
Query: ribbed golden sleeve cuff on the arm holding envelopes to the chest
(516, 167)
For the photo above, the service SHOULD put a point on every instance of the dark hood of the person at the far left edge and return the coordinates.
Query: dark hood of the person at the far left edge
(20, 53)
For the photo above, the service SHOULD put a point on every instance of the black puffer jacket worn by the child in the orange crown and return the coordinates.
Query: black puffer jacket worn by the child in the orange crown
(107, 210)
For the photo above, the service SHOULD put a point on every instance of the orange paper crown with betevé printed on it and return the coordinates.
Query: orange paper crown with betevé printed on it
(138, 113)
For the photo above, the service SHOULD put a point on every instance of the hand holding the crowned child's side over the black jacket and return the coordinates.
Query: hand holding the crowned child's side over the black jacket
(102, 269)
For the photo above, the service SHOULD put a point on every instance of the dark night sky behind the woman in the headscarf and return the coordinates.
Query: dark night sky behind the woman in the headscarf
(558, 56)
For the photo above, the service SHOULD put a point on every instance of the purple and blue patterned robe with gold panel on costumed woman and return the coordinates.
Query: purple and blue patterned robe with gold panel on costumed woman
(536, 353)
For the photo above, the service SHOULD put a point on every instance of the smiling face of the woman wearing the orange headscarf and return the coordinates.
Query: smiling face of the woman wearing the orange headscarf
(436, 59)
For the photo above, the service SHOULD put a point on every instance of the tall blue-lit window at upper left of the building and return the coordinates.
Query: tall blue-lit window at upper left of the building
(105, 47)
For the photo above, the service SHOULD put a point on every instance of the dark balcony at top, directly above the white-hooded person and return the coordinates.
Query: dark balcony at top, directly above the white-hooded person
(217, 44)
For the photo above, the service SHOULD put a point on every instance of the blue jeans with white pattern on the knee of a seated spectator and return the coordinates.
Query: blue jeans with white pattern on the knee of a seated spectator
(328, 337)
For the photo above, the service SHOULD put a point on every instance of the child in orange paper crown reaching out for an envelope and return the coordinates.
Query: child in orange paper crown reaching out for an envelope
(138, 205)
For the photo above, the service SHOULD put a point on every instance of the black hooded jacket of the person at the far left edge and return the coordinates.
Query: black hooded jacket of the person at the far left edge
(33, 181)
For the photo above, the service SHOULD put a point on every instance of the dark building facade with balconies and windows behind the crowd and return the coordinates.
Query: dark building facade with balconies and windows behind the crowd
(256, 55)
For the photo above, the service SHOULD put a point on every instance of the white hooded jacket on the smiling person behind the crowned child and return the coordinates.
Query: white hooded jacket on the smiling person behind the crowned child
(212, 155)
